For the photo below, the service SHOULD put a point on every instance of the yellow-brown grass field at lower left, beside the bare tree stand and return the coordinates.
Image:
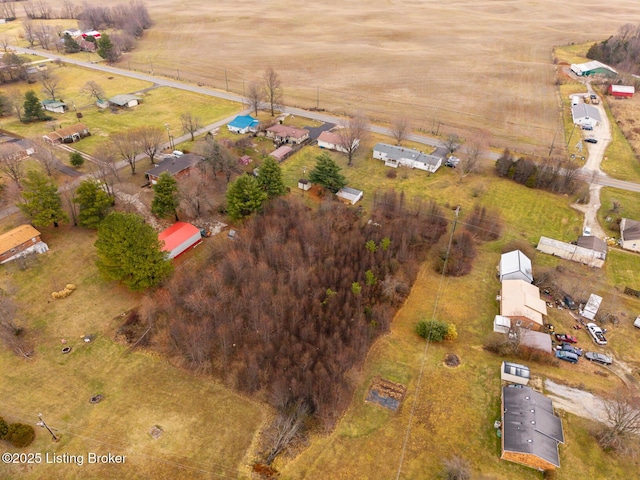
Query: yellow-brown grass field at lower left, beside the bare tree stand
(208, 430)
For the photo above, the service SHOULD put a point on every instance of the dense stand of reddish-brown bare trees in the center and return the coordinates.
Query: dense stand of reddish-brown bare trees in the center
(295, 302)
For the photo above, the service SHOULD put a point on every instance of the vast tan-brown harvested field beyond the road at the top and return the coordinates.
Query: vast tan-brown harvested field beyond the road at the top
(485, 64)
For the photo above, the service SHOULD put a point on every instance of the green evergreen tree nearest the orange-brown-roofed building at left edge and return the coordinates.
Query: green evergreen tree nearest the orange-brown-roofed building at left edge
(41, 201)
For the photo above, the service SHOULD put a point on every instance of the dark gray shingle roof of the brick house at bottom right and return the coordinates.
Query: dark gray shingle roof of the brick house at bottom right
(529, 424)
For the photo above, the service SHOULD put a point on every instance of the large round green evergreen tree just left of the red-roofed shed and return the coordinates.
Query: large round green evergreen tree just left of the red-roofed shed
(129, 251)
